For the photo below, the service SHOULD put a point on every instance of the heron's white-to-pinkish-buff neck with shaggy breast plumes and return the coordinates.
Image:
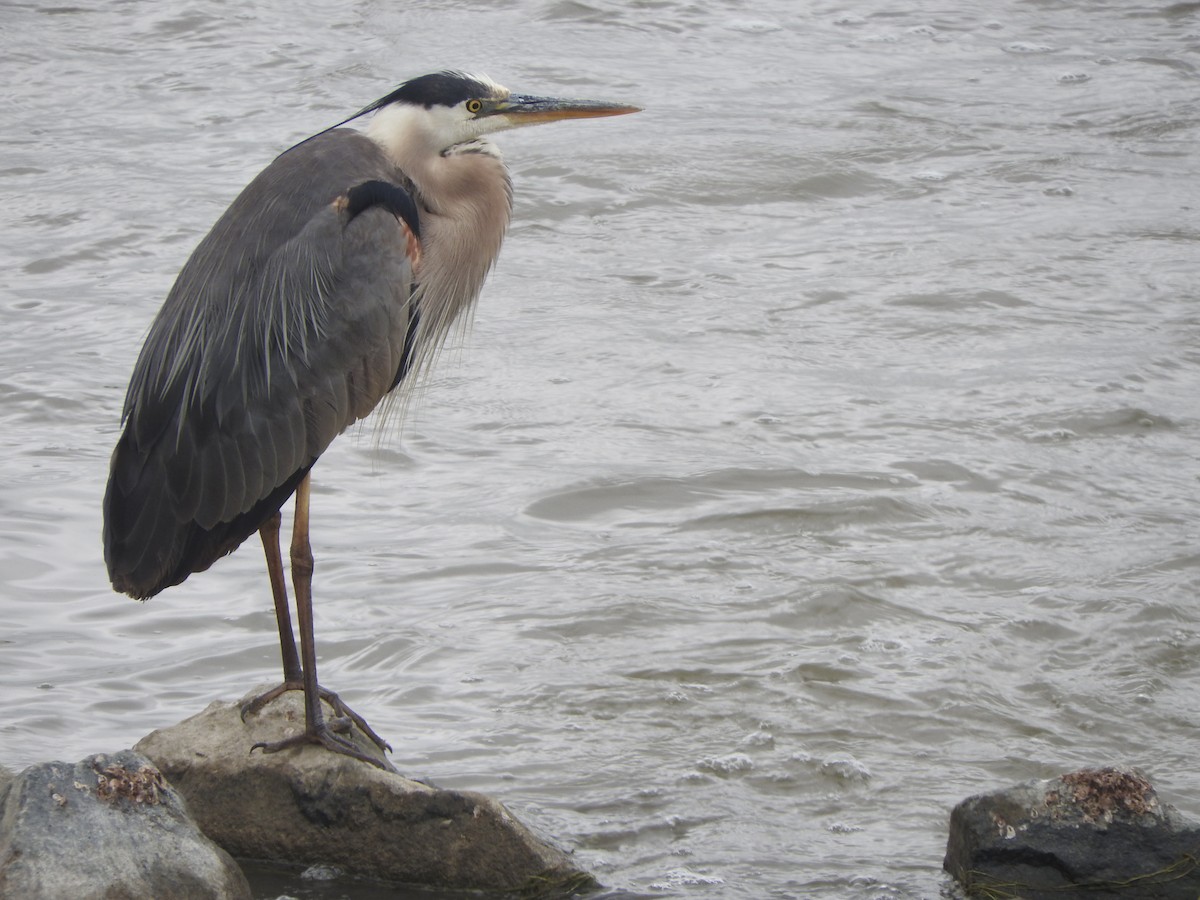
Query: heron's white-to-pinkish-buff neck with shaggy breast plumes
(466, 200)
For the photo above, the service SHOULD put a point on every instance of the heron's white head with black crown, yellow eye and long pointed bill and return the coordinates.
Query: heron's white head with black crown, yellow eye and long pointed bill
(452, 110)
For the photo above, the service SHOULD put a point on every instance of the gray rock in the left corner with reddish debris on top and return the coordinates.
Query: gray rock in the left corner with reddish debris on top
(109, 827)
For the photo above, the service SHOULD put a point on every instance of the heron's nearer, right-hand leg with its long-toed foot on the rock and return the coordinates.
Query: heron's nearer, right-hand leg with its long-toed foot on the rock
(317, 730)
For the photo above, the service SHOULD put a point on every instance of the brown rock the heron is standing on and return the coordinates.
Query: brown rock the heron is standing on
(307, 806)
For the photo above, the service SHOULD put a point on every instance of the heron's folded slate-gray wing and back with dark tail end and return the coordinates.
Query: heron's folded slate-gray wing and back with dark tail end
(291, 321)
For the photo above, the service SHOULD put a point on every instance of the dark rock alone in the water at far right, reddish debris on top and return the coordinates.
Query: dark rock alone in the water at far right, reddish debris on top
(1101, 833)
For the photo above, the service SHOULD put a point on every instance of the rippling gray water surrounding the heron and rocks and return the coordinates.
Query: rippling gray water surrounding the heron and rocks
(824, 449)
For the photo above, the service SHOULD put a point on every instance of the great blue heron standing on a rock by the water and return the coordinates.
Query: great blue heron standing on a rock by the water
(334, 277)
